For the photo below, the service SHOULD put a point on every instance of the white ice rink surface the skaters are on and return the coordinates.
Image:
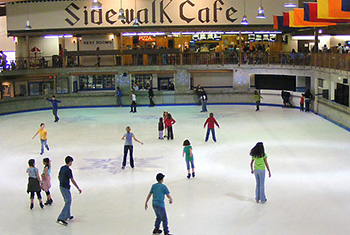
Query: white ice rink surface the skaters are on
(308, 192)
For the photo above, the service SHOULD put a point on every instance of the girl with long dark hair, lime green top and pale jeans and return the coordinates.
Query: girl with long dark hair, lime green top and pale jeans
(259, 158)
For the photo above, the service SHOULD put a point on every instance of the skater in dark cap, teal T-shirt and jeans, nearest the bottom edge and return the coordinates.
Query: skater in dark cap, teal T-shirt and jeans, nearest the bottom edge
(159, 190)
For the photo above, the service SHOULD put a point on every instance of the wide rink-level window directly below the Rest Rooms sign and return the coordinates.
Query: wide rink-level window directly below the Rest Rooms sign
(97, 82)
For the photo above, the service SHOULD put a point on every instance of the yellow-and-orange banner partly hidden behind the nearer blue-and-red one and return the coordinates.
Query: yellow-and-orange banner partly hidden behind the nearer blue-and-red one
(296, 19)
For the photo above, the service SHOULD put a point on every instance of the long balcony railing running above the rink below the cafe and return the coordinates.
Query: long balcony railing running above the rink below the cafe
(147, 57)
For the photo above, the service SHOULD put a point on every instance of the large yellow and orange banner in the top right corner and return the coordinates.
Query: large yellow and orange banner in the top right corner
(331, 9)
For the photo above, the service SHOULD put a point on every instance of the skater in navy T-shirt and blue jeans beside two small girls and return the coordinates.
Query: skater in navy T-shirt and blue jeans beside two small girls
(64, 176)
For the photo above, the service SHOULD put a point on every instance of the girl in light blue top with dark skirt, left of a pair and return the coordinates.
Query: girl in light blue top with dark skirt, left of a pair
(34, 183)
